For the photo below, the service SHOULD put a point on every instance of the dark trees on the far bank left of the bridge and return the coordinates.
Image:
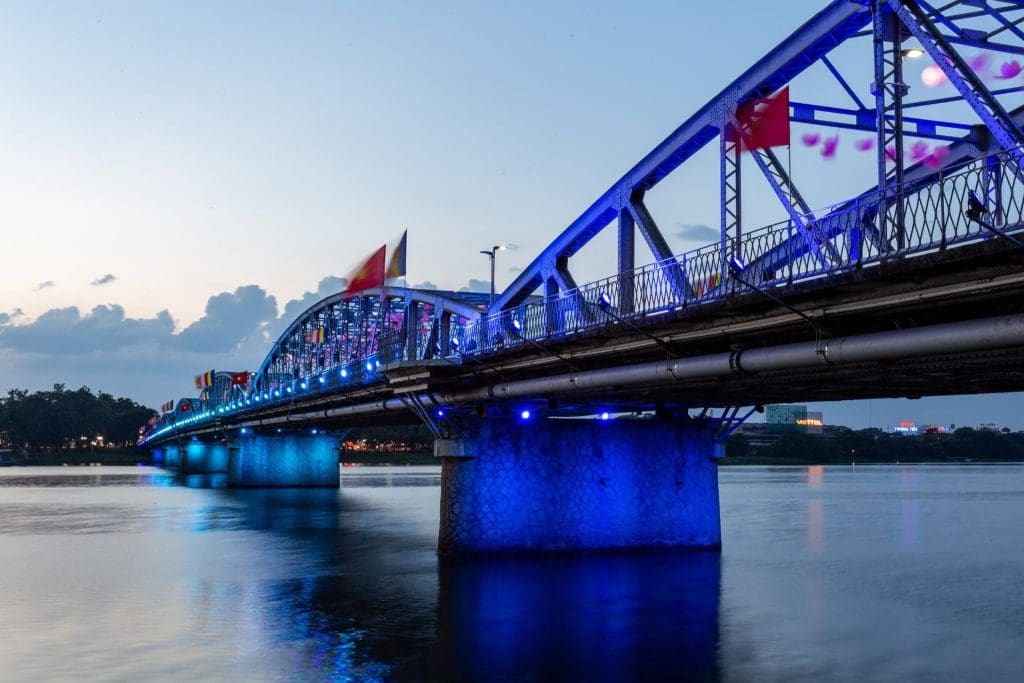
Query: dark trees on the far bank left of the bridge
(59, 418)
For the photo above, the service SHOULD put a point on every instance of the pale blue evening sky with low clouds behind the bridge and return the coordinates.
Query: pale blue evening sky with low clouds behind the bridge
(180, 181)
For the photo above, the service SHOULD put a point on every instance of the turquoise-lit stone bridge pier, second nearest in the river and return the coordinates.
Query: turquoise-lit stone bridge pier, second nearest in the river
(284, 460)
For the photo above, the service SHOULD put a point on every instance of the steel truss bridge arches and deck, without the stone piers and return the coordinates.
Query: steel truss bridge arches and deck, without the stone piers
(914, 287)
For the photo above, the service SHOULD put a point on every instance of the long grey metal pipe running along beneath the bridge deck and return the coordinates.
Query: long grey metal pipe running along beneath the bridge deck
(970, 336)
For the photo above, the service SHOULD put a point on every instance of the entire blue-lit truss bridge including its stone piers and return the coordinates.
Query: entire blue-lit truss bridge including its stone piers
(575, 416)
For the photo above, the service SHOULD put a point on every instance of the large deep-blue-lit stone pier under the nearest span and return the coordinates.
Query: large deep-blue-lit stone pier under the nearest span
(517, 487)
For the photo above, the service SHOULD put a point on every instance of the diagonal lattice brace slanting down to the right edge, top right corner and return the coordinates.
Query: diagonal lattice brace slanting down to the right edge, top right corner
(962, 77)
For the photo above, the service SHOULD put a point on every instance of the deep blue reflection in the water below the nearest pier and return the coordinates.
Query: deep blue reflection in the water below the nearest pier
(613, 618)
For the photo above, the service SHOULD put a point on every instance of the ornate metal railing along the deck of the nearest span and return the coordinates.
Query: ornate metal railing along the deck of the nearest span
(922, 219)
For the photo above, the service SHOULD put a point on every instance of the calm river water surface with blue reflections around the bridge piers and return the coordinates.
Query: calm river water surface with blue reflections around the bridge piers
(867, 574)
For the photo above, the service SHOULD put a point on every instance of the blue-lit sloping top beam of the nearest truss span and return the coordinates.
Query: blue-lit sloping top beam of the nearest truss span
(839, 21)
